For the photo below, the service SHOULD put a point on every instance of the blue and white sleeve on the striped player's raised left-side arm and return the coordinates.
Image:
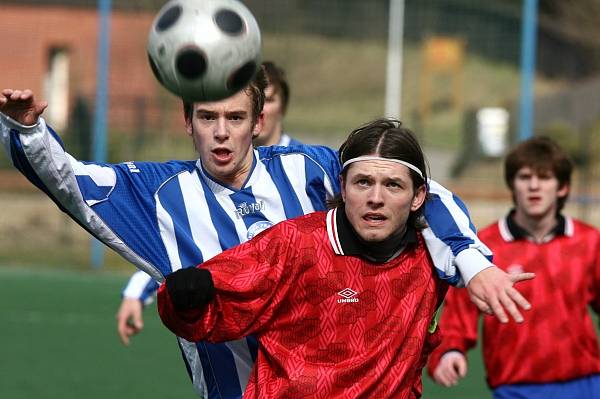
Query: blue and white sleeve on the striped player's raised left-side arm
(81, 190)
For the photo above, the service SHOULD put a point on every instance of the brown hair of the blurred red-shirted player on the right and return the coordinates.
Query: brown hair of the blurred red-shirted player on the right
(541, 154)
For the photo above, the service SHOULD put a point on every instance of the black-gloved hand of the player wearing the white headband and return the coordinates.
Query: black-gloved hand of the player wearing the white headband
(190, 288)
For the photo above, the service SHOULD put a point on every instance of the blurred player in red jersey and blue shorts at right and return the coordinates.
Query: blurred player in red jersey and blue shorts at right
(554, 353)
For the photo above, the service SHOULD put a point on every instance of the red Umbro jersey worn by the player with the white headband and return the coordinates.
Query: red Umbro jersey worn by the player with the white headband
(328, 325)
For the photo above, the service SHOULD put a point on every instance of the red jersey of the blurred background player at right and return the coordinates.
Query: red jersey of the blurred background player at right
(557, 341)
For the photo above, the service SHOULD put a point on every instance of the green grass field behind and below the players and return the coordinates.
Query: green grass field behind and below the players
(58, 340)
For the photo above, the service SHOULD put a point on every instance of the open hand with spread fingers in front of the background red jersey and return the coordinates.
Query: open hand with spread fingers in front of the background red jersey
(491, 290)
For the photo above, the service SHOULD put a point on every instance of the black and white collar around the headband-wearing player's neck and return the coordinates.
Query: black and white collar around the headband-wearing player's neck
(345, 241)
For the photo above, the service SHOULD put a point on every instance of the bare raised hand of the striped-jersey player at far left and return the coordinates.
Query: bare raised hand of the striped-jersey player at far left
(21, 106)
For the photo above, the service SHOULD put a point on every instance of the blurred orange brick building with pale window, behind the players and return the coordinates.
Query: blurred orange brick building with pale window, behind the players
(51, 47)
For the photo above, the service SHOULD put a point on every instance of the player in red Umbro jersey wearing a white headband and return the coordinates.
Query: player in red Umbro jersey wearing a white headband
(342, 301)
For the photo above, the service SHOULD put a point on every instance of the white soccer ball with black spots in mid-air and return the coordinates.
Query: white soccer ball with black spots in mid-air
(204, 50)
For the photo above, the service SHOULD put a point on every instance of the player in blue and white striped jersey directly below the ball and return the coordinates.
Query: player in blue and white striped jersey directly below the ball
(165, 216)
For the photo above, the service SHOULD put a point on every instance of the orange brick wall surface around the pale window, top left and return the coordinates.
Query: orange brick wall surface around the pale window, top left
(28, 33)
